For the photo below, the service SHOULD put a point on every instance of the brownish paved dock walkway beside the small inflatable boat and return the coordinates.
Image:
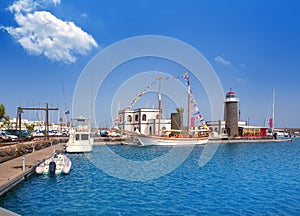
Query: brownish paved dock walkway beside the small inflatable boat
(14, 171)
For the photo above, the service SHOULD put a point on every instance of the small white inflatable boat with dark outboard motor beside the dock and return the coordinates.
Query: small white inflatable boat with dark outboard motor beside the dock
(57, 164)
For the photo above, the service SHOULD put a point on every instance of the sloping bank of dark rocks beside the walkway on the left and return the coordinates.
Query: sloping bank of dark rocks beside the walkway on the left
(12, 151)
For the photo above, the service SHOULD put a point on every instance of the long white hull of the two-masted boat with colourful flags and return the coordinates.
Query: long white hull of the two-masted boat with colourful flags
(162, 141)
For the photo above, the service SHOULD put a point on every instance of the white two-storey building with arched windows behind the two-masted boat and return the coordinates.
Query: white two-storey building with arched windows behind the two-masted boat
(143, 120)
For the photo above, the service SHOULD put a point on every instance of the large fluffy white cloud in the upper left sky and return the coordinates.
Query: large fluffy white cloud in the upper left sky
(41, 33)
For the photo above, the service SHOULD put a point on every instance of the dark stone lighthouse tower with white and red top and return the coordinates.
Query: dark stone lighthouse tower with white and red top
(231, 114)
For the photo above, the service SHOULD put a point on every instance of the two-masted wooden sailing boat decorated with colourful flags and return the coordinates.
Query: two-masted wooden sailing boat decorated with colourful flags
(198, 136)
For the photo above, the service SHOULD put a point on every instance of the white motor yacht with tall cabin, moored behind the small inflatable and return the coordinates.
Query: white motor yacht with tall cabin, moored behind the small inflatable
(80, 140)
